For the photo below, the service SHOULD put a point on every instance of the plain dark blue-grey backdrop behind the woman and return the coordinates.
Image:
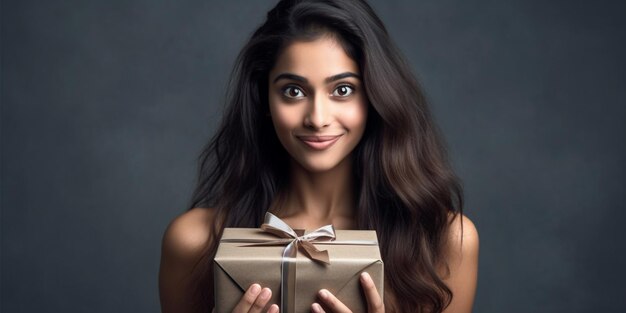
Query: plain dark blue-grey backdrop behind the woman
(107, 104)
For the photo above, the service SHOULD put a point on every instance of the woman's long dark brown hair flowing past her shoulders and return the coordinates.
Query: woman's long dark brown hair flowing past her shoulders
(406, 190)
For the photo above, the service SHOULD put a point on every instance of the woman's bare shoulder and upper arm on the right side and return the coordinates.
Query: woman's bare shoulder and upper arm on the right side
(462, 257)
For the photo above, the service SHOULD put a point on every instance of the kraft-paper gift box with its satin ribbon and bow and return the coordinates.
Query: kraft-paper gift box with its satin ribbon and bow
(295, 265)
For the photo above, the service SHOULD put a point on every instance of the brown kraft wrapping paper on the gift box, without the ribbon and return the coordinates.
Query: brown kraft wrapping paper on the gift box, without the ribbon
(238, 265)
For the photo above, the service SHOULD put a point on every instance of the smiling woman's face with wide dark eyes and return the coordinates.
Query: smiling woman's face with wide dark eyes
(317, 103)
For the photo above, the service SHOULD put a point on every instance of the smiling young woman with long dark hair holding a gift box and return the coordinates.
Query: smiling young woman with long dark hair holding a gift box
(327, 125)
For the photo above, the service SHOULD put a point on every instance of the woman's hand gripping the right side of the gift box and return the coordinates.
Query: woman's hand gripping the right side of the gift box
(374, 302)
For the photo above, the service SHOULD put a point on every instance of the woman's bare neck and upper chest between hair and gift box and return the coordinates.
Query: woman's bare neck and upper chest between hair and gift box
(314, 199)
